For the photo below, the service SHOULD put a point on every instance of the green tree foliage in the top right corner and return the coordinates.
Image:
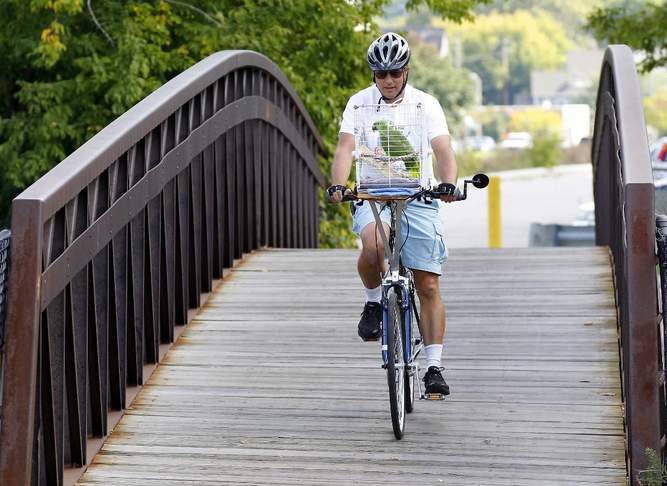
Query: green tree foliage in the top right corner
(639, 23)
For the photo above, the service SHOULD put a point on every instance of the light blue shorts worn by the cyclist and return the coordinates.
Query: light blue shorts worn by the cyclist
(421, 224)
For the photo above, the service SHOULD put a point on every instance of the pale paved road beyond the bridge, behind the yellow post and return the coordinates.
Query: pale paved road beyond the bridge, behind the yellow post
(528, 196)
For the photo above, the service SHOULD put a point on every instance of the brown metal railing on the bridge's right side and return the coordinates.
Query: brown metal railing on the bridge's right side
(625, 221)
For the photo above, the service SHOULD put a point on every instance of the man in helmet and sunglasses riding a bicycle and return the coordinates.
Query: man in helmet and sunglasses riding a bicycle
(424, 251)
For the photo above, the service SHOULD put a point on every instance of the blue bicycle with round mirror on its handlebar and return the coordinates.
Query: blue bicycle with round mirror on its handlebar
(399, 304)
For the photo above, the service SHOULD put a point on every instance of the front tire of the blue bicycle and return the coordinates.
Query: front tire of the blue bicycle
(395, 370)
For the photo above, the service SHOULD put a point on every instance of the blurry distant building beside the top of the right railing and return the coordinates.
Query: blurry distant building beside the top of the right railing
(570, 84)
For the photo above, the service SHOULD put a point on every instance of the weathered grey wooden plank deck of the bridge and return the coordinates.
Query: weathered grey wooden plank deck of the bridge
(270, 384)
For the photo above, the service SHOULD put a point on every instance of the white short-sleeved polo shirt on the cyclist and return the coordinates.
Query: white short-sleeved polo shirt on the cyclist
(435, 123)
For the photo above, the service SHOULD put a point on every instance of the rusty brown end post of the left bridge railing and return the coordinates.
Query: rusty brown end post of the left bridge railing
(21, 352)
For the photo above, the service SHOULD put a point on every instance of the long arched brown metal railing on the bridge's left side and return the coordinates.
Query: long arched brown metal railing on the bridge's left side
(111, 248)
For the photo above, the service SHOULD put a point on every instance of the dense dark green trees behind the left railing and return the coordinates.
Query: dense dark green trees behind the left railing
(72, 66)
